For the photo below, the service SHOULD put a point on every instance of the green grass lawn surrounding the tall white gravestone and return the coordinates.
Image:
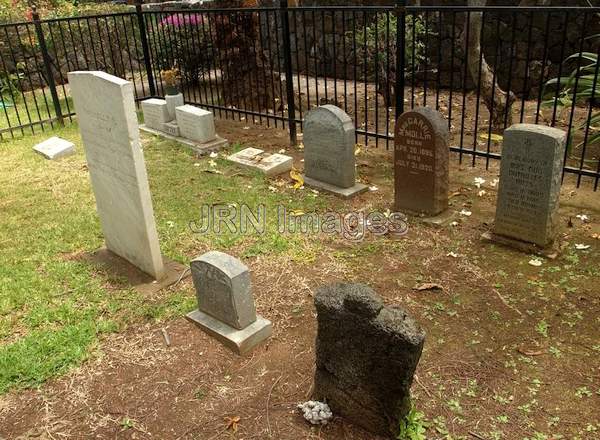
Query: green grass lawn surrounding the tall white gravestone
(54, 306)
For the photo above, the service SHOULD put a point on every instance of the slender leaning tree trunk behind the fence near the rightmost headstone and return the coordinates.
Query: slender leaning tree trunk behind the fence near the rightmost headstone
(497, 101)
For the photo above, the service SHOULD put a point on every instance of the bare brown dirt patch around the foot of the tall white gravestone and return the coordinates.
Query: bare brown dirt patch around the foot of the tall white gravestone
(136, 278)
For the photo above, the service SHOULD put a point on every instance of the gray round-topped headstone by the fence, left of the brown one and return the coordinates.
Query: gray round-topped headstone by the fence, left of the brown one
(329, 161)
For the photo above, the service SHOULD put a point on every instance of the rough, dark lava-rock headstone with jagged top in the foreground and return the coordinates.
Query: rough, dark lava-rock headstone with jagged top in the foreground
(366, 356)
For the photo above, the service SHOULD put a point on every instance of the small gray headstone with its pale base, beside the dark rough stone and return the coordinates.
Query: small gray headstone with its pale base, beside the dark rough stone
(225, 303)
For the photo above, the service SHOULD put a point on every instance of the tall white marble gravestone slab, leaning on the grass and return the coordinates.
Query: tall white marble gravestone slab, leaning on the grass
(107, 120)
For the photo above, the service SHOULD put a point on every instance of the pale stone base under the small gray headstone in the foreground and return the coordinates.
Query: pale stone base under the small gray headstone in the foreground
(239, 341)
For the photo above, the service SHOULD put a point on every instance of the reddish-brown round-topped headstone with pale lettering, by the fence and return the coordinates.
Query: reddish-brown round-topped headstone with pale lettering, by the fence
(421, 157)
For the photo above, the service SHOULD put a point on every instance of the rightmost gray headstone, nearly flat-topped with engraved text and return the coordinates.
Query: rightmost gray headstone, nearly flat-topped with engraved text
(530, 178)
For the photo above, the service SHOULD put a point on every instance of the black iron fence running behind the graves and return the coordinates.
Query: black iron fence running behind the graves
(484, 68)
